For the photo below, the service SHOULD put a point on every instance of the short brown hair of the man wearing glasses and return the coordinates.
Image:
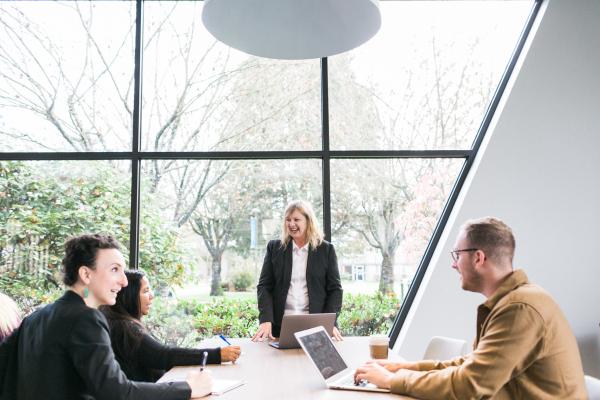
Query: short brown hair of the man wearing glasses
(492, 236)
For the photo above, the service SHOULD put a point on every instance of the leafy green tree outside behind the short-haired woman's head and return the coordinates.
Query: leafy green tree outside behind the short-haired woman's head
(44, 205)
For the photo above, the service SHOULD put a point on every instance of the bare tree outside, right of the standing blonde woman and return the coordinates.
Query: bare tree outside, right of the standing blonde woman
(376, 205)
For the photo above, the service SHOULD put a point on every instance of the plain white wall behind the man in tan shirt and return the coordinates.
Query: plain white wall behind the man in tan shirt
(538, 170)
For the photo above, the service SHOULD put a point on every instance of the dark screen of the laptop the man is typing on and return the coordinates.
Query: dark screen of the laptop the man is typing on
(324, 354)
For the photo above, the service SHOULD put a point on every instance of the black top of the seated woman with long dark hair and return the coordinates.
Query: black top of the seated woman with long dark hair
(148, 359)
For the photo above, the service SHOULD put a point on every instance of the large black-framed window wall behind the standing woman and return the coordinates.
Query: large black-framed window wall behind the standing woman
(378, 139)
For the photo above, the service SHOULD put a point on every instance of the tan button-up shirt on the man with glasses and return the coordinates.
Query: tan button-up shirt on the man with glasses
(524, 349)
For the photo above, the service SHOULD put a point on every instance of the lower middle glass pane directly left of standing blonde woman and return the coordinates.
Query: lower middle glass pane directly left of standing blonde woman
(216, 218)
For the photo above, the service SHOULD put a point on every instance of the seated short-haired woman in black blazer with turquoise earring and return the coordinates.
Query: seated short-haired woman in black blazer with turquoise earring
(63, 350)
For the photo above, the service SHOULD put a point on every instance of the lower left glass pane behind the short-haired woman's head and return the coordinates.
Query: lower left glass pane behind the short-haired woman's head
(42, 204)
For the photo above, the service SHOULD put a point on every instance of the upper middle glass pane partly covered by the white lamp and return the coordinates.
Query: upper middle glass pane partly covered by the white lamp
(202, 95)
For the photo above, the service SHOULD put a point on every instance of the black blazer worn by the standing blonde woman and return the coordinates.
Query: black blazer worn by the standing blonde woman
(322, 279)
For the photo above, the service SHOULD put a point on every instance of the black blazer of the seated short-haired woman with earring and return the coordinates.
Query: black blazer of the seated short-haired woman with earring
(64, 353)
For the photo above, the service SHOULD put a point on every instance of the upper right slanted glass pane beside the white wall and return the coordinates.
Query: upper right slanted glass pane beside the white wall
(426, 79)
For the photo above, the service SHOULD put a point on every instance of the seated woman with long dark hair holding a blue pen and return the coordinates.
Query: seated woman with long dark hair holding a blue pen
(142, 358)
